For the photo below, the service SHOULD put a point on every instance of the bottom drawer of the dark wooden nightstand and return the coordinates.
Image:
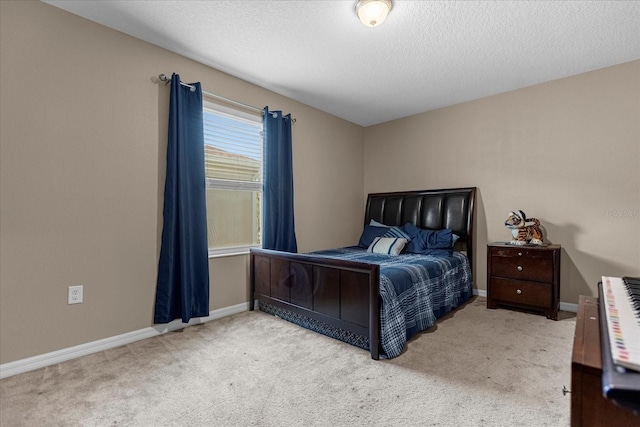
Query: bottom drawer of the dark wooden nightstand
(521, 292)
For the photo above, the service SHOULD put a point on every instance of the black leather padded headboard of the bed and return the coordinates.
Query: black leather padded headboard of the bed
(429, 209)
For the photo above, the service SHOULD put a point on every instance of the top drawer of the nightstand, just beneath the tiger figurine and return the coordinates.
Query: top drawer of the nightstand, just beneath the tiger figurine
(513, 266)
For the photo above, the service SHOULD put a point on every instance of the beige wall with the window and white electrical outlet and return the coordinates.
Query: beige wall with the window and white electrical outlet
(82, 140)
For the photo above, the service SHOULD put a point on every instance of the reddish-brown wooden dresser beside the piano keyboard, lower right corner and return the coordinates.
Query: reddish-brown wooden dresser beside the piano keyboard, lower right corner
(588, 406)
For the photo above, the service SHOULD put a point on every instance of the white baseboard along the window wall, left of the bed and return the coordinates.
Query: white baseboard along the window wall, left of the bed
(48, 359)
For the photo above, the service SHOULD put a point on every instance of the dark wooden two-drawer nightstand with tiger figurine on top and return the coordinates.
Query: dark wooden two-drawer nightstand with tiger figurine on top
(524, 276)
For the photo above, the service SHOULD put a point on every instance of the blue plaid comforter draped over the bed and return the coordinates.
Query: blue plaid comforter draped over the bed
(415, 290)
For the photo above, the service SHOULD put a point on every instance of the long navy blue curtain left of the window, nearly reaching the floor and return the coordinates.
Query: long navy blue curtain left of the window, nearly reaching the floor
(183, 270)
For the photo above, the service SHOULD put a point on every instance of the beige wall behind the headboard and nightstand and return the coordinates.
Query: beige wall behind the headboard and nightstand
(566, 152)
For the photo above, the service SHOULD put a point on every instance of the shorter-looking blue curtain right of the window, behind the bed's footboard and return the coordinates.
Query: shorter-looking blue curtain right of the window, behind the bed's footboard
(279, 228)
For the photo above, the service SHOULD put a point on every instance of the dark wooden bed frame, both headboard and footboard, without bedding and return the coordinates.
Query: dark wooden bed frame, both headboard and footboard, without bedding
(344, 294)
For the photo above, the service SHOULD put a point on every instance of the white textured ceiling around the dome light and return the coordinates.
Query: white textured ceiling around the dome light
(426, 55)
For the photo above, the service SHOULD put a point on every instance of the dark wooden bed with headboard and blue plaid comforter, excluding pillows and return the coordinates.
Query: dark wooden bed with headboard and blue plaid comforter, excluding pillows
(360, 297)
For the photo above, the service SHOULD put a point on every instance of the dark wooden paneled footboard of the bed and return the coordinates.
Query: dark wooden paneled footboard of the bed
(342, 294)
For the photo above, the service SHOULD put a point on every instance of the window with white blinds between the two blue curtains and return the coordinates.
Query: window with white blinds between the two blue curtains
(233, 170)
